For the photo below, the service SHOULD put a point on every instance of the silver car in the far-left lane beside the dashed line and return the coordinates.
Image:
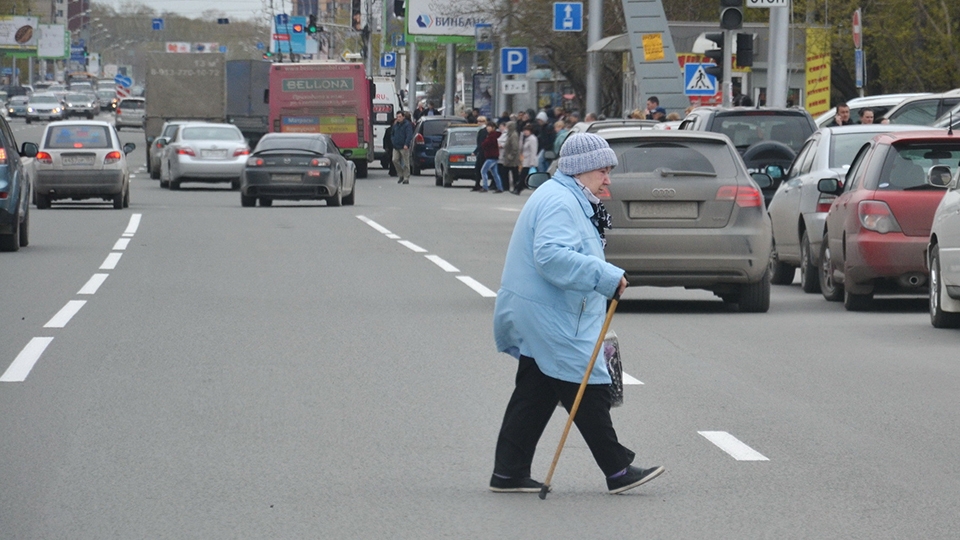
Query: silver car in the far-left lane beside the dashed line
(81, 160)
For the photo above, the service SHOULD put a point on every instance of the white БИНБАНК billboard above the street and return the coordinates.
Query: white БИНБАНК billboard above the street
(443, 18)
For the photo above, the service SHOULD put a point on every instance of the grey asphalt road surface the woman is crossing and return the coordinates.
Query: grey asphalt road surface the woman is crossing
(187, 368)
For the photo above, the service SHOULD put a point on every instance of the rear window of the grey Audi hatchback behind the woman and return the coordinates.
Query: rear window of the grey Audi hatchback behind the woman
(698, 156)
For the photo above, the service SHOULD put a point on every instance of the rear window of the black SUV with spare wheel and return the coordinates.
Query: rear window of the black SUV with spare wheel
(746, 129)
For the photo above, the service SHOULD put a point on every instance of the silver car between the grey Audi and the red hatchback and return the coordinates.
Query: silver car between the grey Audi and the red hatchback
(798, 210)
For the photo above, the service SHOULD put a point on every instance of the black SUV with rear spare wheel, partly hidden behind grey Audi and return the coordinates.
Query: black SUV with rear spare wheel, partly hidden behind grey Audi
(767, 138)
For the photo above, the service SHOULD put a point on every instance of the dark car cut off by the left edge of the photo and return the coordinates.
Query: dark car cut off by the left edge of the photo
(14, 191)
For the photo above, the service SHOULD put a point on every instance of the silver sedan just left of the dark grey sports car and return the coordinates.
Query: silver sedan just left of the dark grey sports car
(203, 152)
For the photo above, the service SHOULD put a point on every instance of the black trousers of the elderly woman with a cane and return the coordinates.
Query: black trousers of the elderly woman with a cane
(532, 404)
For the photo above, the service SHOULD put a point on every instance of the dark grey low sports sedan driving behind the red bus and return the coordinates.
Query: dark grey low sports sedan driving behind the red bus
(297, 166)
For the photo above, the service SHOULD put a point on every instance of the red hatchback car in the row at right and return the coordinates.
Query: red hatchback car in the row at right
(877, 229)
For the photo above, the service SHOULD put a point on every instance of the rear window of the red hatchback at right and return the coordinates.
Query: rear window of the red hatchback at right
(906, 166)
